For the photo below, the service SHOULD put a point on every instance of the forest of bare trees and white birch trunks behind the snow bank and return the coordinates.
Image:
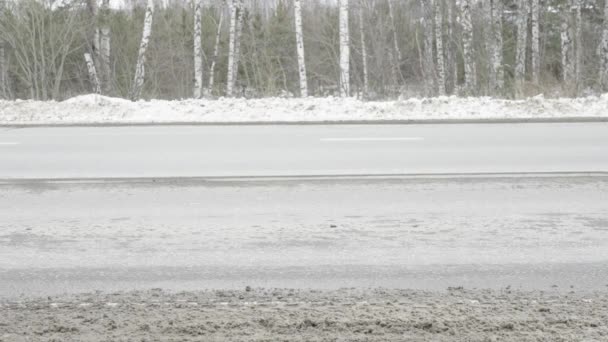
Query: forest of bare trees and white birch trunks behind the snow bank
(371, 49)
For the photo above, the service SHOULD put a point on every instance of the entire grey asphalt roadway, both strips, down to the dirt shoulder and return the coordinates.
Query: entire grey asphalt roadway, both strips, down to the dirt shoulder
(431, 232)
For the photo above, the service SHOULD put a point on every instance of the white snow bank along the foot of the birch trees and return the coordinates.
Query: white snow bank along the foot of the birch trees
(95, 109)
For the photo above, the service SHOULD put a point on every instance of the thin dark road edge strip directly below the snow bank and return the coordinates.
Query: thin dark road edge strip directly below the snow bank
(318, 123)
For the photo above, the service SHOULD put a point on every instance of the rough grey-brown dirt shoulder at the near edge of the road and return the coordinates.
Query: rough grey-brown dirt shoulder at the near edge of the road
(308, 315)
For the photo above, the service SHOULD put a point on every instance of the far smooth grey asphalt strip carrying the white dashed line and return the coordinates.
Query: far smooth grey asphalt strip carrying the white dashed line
(252, 151)
